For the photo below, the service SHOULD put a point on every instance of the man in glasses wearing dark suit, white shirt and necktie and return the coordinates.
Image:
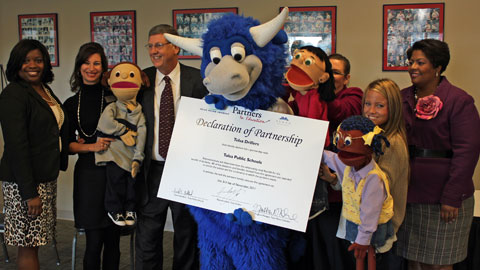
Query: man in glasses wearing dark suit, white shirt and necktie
(152, 212)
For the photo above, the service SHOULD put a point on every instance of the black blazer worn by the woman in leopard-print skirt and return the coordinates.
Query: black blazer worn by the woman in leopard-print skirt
(31, 136)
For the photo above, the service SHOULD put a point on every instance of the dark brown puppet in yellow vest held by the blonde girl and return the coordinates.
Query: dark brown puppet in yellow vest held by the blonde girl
(367, 203)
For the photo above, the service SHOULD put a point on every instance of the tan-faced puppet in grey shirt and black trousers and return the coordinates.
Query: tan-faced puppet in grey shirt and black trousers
(124, 121)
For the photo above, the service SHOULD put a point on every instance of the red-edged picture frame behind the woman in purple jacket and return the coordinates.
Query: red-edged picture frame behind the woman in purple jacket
(405, 24)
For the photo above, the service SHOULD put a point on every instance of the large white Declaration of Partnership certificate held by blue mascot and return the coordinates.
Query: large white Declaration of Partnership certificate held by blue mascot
(264, 162)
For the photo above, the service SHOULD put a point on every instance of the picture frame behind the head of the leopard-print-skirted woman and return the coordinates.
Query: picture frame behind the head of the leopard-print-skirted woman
(44, 28)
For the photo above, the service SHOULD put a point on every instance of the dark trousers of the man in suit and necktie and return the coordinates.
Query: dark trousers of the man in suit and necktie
(151, 219)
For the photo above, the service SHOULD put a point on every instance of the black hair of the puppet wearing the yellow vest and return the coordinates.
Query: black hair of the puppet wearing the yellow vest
(365, 125)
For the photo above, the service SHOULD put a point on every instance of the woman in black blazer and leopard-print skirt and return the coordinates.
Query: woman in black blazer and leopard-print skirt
(34, 130)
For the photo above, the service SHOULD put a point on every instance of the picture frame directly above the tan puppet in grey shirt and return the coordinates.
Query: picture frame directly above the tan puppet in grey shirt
(116, 32)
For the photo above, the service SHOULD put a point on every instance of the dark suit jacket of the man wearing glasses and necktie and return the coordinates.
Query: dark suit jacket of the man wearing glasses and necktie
(191, 85)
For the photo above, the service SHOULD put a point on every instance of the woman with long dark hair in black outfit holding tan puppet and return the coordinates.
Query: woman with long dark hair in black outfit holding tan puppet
(84, 110)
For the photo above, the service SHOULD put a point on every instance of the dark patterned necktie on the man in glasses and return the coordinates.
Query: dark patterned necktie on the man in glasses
(166, 118)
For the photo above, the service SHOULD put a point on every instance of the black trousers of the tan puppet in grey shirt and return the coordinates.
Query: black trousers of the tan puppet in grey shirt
(120, 190)
